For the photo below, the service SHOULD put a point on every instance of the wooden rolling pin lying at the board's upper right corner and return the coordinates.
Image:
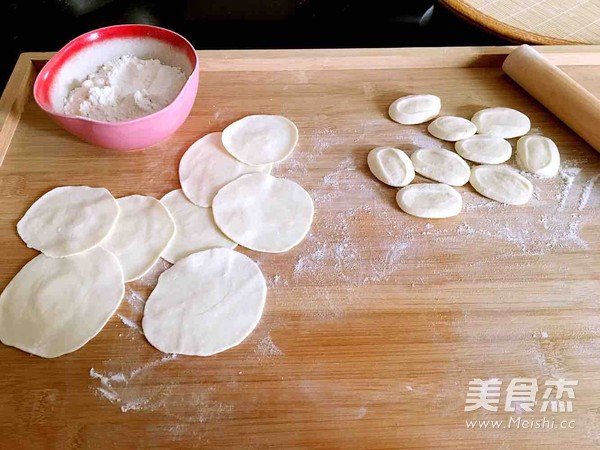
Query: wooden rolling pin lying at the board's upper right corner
(557, 91)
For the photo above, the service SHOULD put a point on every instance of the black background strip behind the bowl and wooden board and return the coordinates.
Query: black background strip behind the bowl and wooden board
(46, 25)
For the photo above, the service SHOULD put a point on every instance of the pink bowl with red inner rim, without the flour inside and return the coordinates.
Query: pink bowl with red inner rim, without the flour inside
(85, 54)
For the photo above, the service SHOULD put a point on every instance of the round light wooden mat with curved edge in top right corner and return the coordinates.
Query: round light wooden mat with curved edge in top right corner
(548, 22)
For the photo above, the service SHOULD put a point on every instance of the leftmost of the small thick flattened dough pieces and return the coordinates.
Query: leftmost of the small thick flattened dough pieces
(391, 166)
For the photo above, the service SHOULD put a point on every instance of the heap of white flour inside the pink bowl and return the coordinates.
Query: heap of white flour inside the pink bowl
(125, 88)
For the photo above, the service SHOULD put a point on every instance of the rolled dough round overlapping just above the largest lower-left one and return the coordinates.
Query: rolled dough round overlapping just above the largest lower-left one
(69, 220)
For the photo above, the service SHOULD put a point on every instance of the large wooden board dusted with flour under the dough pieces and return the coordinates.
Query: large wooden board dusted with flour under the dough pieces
(378, 321)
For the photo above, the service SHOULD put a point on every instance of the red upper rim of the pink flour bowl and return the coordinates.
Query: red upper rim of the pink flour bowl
(49, 66)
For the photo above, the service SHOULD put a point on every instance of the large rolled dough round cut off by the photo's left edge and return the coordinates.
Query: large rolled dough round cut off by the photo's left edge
(55, 306)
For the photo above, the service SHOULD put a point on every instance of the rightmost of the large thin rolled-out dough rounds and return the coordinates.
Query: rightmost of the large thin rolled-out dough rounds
(264, 213)
